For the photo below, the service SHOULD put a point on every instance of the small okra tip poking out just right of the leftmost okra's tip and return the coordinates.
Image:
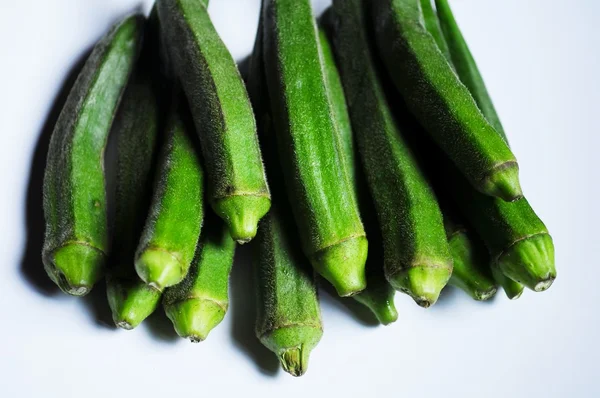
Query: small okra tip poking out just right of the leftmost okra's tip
(131, 302)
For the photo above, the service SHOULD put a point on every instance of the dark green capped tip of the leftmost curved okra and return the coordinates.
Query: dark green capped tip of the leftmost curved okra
(75, 267)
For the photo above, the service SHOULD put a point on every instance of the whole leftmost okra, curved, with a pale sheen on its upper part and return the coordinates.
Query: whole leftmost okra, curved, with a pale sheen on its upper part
(76, 239)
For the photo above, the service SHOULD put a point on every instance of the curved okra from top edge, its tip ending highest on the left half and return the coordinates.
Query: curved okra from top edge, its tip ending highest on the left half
(236, 180)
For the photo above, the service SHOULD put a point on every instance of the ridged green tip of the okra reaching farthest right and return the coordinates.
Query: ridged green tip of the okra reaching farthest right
(530, 262)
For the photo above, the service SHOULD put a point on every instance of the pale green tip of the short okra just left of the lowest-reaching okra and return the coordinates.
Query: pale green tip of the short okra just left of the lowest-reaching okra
(194, 318)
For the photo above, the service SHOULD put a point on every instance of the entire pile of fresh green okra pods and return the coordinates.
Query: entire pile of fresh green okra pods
(361, 147)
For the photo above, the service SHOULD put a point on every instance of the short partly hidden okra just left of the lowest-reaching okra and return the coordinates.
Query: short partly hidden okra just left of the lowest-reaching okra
(199, 303)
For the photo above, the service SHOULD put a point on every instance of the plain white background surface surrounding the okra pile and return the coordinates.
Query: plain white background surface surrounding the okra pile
(540, 59)
